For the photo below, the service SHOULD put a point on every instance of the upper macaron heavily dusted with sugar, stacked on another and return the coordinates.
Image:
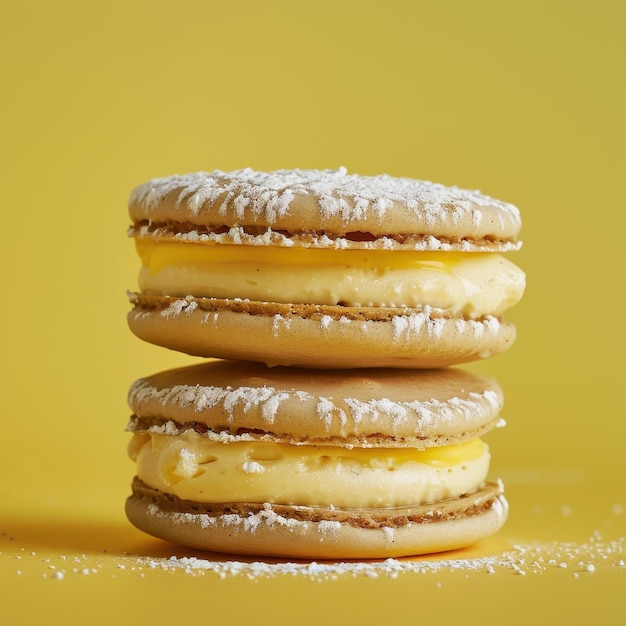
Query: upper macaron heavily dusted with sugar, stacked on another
(322, 268)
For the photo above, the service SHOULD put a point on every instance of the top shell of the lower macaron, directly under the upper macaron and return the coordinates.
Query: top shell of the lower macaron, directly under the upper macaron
(366, 408)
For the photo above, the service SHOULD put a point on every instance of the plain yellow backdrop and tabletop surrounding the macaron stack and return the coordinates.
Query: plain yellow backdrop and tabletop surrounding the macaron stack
(524, 101)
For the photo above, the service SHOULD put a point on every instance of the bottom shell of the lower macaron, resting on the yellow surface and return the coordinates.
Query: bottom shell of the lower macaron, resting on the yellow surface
(314, 533)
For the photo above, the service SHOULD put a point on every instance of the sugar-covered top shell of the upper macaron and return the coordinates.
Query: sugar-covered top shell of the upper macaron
(331, 203)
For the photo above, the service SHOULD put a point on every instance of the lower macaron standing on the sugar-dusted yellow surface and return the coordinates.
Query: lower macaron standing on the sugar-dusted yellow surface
(239, 458)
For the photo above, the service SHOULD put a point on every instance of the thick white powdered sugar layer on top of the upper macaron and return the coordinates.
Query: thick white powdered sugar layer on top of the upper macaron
(339, 194)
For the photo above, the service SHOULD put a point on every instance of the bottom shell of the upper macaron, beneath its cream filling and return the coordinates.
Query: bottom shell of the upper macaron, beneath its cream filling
(315, 336)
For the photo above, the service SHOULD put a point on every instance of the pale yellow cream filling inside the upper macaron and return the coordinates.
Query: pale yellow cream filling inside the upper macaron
(466, 284)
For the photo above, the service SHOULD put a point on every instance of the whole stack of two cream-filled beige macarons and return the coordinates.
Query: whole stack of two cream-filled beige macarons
(326, 422)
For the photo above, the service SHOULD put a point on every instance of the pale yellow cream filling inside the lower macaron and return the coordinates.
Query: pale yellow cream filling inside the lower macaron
(198, 469)
